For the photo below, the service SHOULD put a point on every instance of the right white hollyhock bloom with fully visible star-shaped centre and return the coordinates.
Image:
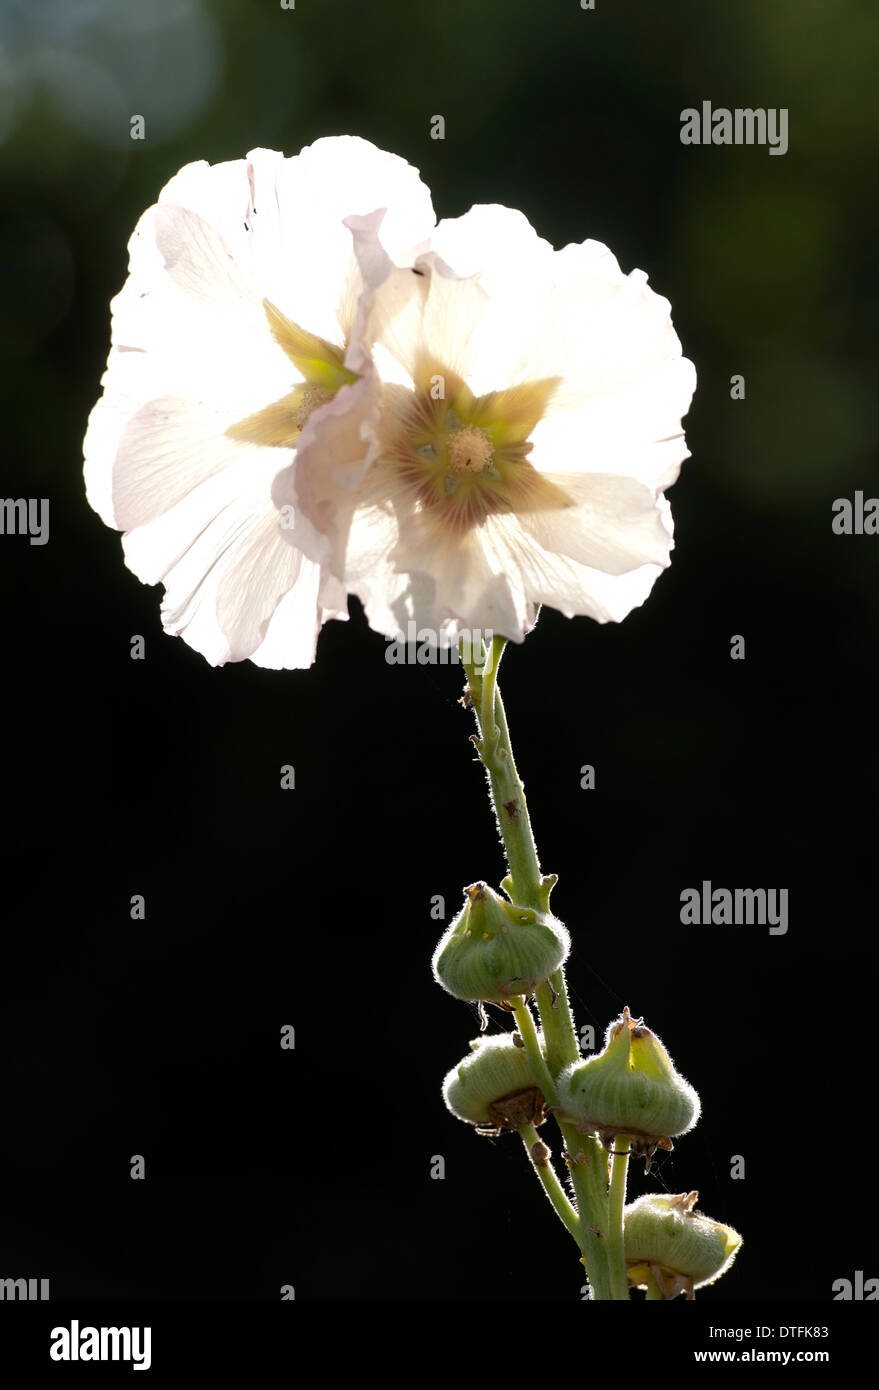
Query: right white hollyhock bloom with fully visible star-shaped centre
(532, 422)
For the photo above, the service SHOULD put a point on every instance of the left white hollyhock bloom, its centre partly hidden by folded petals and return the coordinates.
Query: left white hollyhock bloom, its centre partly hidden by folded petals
(237, 340)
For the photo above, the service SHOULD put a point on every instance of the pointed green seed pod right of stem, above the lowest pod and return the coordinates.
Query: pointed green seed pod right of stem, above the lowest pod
(629, 1089)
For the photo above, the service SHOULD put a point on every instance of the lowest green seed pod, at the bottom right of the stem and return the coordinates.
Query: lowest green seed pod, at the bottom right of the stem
(668, 1239)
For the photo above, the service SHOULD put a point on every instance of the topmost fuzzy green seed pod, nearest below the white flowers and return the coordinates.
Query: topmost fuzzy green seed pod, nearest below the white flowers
(496, 951)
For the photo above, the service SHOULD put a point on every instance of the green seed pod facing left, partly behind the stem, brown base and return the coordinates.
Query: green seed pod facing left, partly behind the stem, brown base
(494, 1086)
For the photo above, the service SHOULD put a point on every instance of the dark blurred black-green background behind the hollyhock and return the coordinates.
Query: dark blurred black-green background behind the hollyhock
(312, 907)
